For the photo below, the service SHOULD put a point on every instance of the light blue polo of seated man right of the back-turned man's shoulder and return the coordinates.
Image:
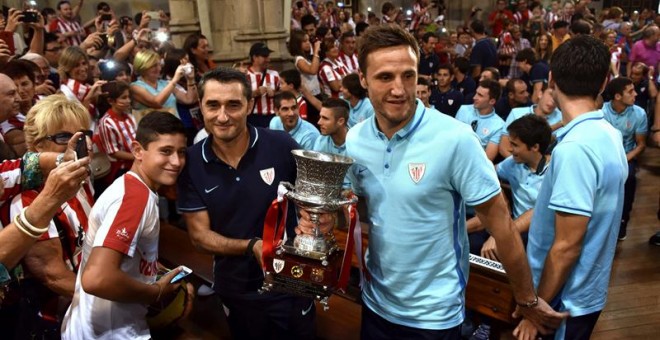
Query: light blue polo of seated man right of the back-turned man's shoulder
(631, 122)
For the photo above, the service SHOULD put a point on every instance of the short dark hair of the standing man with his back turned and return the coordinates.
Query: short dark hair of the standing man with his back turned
(580, 65)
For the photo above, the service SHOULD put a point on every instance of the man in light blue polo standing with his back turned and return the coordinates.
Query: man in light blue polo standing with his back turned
(576, 219)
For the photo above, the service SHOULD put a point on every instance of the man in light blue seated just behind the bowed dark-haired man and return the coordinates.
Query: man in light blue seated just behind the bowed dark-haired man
(546, 108)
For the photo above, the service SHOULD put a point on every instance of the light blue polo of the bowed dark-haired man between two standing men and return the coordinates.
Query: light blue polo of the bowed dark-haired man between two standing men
(525, 183)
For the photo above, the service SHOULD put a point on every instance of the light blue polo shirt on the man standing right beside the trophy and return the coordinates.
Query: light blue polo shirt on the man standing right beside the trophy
(416, 195)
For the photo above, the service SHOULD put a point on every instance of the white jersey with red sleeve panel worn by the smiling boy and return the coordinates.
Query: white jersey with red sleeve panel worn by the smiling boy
(125, 219)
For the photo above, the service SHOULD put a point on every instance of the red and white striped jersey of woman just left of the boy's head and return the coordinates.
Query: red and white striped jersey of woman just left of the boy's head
(116, 132)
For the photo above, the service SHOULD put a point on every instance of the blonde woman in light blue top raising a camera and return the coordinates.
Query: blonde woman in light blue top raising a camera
(151, 92)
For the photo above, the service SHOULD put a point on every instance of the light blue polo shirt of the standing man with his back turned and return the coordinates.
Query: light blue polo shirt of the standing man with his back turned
(586, 177)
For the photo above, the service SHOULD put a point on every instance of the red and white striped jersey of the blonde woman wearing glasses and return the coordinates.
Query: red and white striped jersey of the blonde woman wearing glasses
(72, 216)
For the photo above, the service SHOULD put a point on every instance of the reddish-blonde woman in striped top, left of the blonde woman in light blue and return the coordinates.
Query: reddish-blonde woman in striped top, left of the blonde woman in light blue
(73, 68)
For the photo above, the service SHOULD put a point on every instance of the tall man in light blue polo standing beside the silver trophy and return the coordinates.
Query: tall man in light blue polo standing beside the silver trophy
(417, 169)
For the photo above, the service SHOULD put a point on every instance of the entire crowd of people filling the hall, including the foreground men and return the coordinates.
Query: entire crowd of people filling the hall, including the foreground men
(555, 100)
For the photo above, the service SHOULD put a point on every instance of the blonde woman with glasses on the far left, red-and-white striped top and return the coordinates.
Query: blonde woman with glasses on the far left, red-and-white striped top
(53, 261)
